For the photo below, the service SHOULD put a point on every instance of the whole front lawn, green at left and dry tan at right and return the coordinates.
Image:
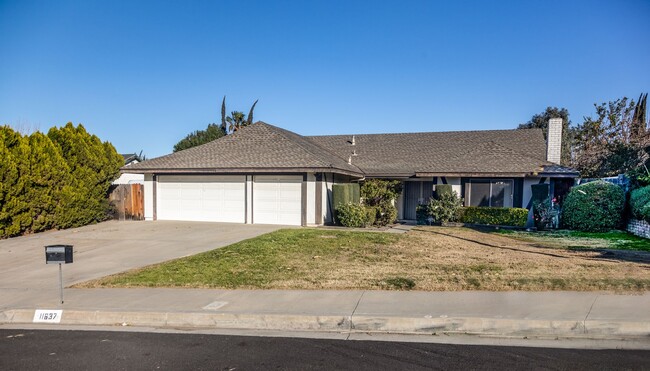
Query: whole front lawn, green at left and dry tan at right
(427, 258)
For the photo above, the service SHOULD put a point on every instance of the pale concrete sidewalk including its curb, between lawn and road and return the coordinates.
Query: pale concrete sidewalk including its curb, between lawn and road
(503, 314)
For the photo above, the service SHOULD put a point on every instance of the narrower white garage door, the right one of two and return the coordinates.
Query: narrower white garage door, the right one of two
(277, 199)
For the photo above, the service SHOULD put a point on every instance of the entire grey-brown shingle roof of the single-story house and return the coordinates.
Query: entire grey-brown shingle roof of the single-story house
(265, 148)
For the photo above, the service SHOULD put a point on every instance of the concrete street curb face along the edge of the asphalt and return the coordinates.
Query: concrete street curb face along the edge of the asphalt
(495, 327)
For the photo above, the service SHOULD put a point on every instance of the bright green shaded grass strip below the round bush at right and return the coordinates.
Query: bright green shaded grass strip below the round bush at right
(615, 240)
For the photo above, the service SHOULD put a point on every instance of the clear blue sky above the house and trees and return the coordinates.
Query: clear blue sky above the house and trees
(143, 74)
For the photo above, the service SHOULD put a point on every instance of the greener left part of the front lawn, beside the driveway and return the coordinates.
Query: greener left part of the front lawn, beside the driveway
(283, 256)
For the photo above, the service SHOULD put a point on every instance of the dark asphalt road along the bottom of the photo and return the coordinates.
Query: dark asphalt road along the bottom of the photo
(97, 350)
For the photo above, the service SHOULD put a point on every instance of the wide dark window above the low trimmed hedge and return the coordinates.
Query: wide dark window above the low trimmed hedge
(489, 192)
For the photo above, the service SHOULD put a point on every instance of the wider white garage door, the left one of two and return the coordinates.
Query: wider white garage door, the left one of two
(201, 198)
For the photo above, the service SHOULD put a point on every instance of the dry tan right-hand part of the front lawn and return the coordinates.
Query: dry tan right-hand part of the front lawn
(460, 259)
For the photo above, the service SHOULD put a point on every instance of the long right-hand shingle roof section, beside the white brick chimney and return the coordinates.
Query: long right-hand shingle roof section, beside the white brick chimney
(488, 152)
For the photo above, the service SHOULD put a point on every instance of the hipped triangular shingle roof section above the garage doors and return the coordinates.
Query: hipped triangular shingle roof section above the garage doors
(259, 147)
